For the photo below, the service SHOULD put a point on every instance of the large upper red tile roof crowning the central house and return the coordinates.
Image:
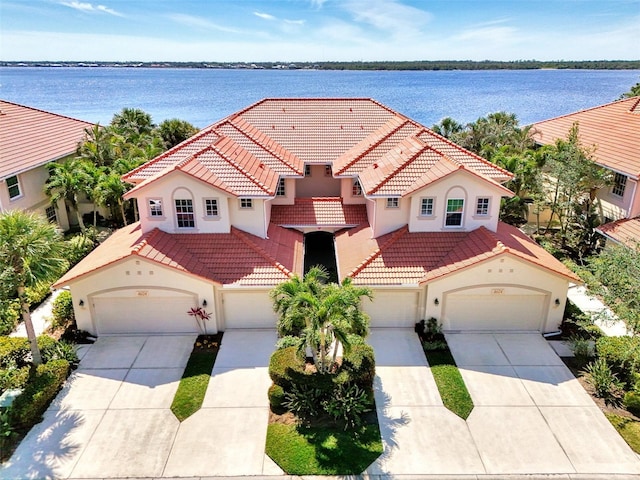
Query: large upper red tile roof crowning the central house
(246, 153)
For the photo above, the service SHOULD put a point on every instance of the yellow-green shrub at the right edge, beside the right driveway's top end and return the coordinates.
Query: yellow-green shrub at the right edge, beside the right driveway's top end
(622, 354)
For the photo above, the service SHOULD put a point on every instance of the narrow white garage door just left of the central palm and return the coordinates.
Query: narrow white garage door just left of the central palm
(248, 310)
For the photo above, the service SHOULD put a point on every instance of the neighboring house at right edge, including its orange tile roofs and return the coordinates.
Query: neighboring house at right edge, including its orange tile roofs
(614, 131)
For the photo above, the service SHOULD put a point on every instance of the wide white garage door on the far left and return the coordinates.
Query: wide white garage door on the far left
(148, 311)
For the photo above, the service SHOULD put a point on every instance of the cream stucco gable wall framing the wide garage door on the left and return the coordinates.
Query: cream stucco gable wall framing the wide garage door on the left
(139, 274)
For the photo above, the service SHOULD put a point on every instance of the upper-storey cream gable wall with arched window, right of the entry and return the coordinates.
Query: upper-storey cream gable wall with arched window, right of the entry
(459, 185)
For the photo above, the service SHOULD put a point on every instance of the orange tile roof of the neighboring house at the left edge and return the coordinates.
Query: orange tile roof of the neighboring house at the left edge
(30, 137)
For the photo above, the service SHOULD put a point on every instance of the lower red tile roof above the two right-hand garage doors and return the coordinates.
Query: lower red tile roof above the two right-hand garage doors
(401, 257)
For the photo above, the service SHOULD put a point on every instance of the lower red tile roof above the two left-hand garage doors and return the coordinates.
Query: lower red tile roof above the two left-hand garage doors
(236, 258)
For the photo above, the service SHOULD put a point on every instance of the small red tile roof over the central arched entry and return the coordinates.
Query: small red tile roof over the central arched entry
(321, 211)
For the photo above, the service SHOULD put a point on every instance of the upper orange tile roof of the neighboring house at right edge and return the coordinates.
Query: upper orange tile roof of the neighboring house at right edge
(613, 128)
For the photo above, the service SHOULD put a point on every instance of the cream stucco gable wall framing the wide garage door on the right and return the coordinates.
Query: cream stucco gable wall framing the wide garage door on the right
(503, 273)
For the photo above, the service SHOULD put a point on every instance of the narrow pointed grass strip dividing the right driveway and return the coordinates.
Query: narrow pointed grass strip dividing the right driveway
(453, 391)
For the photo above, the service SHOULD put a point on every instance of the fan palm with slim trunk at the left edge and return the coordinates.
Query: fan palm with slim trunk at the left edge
(30, 252)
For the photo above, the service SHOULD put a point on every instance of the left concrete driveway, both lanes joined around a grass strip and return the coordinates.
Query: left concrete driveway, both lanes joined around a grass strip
(112, 418)
